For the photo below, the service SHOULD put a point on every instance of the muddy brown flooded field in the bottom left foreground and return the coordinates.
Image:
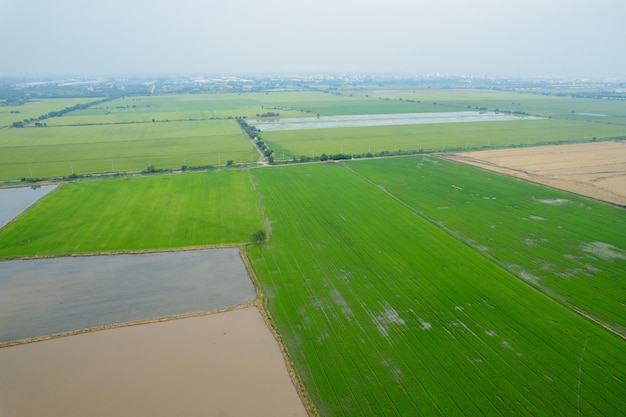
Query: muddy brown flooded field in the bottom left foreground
(225, 364)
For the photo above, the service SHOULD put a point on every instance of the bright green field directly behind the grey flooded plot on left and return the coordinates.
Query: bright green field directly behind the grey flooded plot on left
(144, 213)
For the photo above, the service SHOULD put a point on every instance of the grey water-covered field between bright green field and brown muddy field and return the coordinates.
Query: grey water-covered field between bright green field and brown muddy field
(42, 297)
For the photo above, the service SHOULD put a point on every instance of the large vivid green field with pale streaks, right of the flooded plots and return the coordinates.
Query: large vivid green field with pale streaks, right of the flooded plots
(385, 313)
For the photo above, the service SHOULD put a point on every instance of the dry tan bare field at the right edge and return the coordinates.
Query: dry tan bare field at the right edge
(596, 170)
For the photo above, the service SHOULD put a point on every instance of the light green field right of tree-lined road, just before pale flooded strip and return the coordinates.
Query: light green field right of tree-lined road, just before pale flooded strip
(434, 137)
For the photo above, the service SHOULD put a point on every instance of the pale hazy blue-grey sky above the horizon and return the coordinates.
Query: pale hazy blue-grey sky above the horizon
(491, 37)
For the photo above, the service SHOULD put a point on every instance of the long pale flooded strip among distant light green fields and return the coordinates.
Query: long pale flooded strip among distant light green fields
(330, 122)
